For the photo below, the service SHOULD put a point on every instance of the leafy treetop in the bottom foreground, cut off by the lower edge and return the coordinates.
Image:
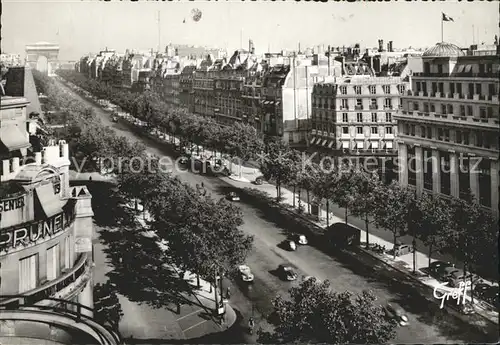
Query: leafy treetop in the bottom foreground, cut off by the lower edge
(315, 313)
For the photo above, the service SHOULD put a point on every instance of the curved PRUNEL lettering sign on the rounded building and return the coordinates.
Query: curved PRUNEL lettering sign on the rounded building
(29, 233)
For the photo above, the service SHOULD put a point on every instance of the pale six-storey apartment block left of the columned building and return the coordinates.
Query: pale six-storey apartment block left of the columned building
(354, 114)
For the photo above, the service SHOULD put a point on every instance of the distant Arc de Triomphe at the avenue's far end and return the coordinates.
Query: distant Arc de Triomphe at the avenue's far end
(43, 56)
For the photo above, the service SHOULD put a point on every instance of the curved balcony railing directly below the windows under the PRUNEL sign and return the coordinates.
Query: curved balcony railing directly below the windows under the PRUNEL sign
(51, 287)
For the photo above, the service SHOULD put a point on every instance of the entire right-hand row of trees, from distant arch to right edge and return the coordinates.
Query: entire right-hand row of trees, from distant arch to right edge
(428, 218)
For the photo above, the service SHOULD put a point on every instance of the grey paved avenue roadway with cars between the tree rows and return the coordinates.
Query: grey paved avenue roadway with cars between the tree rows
(427, 323)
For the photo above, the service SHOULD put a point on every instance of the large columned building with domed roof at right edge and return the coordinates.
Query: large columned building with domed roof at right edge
(448, 129)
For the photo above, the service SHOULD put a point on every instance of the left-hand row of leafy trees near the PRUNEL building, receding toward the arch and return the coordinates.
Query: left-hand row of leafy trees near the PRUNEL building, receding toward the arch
(203, 234)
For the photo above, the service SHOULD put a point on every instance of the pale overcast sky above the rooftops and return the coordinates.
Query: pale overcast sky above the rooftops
(80, 27)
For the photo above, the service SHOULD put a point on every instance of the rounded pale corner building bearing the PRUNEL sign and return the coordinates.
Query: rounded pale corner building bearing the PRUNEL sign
(46, 249)
